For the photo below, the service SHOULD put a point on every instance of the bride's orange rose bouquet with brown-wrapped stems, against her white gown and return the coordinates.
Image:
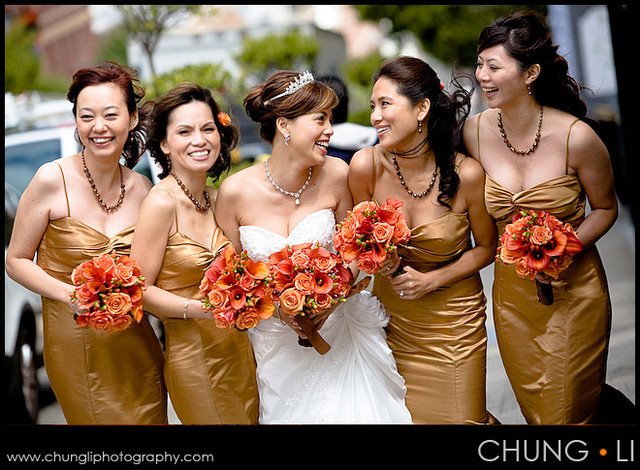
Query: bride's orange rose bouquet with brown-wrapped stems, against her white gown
(309, 279)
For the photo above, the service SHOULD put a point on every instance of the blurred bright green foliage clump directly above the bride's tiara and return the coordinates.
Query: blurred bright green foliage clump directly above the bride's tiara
(291, 50)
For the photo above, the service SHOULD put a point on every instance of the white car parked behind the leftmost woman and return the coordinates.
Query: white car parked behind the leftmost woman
(25, 152)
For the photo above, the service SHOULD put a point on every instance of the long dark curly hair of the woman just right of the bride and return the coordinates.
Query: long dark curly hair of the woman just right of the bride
(416, 80)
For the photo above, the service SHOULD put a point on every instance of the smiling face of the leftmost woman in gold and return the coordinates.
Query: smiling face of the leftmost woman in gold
(103, 120)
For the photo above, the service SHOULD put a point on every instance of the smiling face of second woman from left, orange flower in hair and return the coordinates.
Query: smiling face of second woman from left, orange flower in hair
(193, 140)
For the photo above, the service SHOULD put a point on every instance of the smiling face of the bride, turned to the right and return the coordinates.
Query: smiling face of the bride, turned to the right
(310, 134)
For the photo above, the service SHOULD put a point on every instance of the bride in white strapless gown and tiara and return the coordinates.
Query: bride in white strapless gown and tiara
(295, 197)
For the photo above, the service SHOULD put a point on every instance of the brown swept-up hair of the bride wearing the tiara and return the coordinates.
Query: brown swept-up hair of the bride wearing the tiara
(311, 97)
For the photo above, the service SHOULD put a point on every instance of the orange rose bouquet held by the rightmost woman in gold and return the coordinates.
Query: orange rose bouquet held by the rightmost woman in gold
(537, 242)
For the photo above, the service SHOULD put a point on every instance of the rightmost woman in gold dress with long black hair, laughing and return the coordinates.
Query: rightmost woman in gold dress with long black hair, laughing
(539, 153)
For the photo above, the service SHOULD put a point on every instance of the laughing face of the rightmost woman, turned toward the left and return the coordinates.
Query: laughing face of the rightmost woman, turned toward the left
(502, 79)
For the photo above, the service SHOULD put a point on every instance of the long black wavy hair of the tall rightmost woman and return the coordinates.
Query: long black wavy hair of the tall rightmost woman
(527, 38)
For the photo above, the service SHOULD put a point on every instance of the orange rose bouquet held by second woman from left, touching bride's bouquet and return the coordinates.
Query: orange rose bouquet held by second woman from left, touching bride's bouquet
(237, 290)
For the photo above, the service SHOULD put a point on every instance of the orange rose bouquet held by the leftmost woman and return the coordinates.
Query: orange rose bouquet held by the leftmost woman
(109, 290)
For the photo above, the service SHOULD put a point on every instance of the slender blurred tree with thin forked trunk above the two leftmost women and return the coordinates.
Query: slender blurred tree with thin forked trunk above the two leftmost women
(146, 23)
